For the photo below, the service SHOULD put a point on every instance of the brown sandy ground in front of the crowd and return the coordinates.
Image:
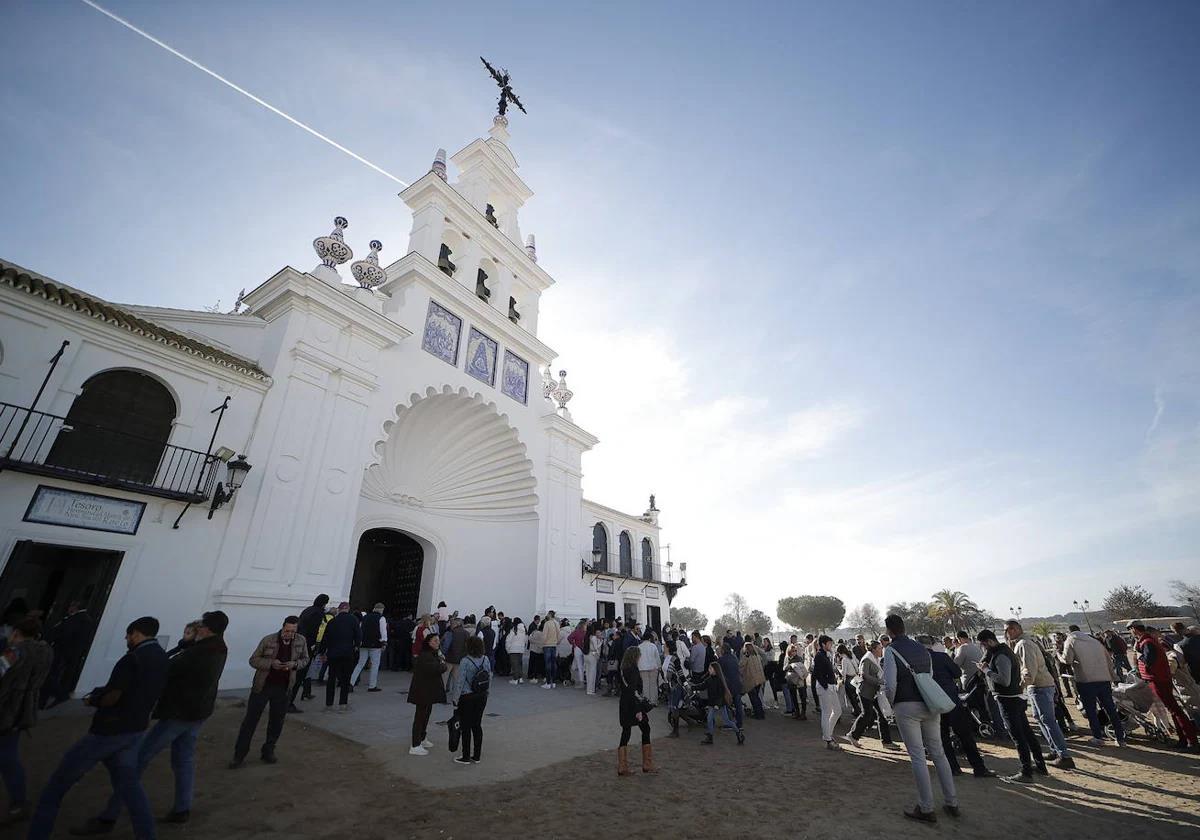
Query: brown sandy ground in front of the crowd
(782, 783)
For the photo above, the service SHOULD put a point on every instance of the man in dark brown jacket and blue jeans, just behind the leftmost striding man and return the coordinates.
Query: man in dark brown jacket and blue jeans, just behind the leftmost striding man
(188, 701)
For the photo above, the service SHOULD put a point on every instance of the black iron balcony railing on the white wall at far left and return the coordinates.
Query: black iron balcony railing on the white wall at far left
(47, 445)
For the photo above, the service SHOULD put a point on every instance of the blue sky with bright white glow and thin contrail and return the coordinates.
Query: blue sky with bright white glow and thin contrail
(878, 301)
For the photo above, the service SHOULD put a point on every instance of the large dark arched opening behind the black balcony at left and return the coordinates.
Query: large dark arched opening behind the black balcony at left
(117, 428)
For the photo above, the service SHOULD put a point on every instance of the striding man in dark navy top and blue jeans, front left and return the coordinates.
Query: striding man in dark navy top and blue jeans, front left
(123, 713)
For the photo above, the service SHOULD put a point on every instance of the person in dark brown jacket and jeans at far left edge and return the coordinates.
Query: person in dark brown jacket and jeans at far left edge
(29, 664)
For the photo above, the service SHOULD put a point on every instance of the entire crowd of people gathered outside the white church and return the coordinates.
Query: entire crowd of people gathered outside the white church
(935, 697)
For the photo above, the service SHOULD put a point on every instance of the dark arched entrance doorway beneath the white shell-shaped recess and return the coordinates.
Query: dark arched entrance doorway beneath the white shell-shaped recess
(388, 571)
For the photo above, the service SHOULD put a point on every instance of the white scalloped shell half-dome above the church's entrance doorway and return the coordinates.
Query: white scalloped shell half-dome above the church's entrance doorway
(453, 454)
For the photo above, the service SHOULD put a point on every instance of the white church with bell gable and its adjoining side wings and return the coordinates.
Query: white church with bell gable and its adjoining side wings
(405, 440)
